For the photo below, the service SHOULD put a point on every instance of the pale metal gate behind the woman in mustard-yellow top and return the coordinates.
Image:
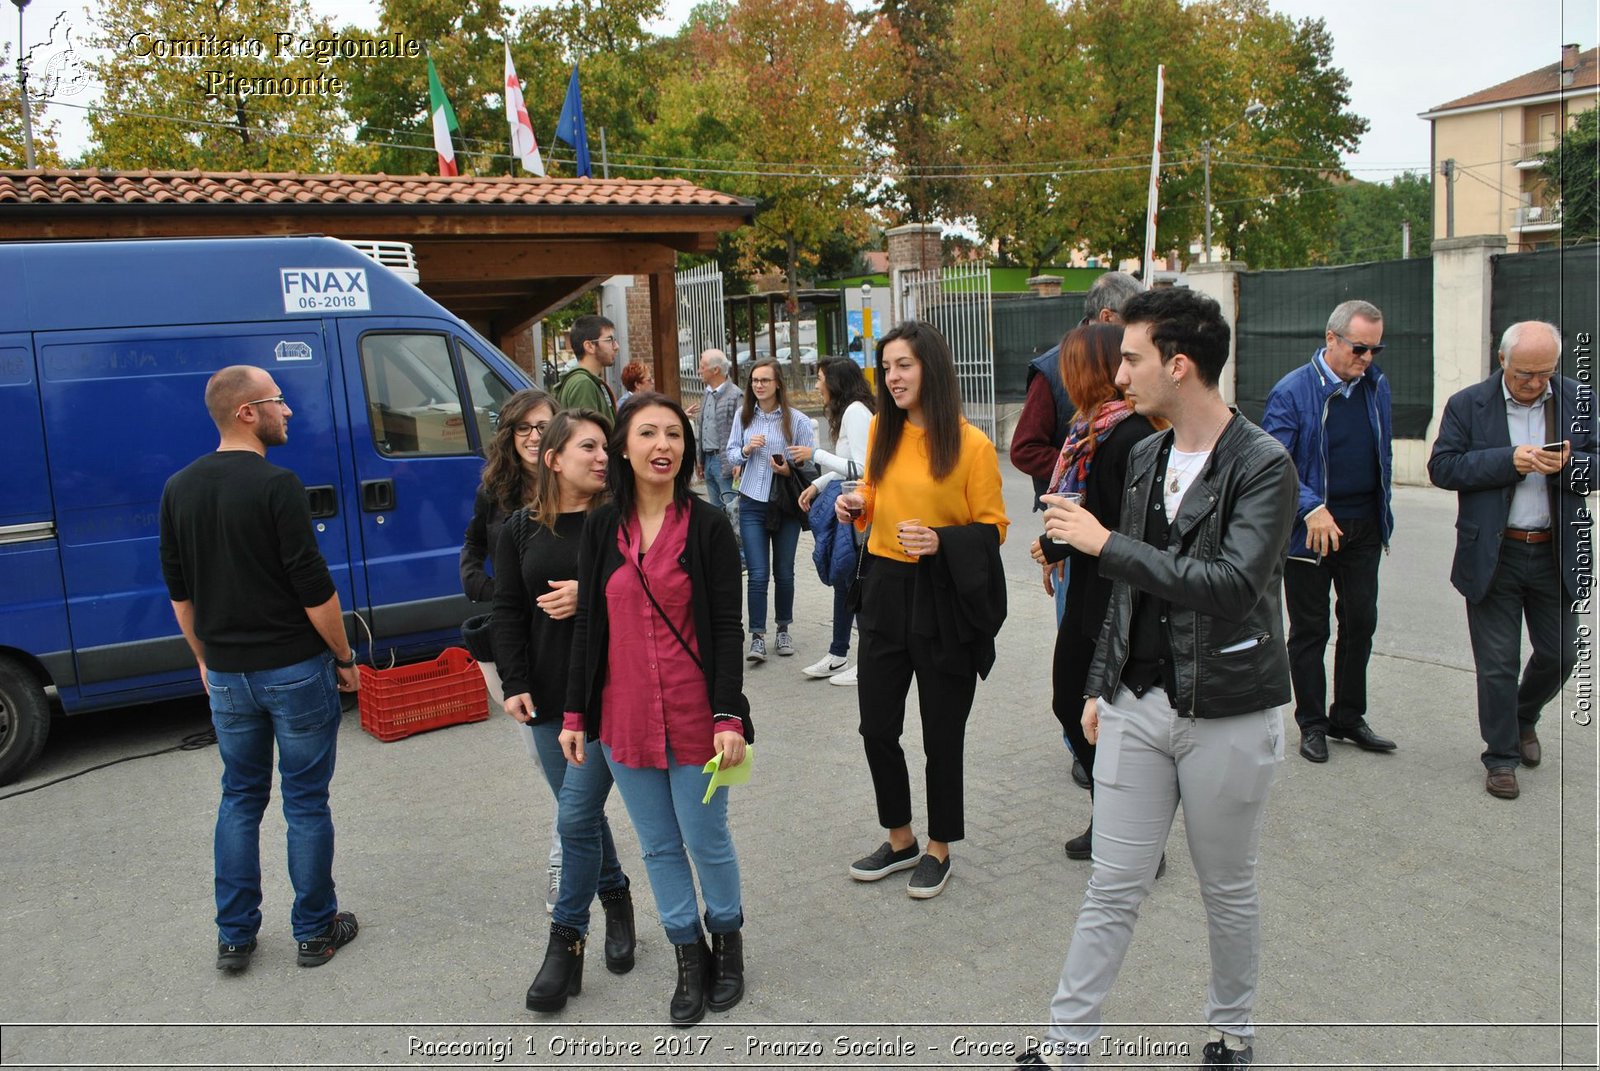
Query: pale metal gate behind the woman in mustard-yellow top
(959, 303)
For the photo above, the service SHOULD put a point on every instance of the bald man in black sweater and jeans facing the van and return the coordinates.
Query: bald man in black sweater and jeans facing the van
(257, 604)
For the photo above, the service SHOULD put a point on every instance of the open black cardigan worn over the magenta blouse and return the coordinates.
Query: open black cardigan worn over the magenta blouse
(711, 560)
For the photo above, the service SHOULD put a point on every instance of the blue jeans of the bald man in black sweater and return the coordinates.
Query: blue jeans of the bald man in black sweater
(298, 708)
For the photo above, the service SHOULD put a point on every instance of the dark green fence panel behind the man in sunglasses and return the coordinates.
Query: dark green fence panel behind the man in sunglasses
(1284, 318)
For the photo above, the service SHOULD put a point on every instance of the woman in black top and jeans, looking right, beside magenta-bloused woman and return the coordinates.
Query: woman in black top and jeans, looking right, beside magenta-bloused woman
(537, 563)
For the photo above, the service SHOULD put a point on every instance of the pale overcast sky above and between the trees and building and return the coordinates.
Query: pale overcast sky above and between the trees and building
(1402, 57)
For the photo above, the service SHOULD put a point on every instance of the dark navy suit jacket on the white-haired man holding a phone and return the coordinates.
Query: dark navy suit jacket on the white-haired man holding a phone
(1473, 457)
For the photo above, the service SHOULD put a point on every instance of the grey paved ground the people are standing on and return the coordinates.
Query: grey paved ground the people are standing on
(1410, 920)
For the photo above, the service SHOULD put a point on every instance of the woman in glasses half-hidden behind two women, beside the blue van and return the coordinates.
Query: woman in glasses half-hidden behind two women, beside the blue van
(510, 484)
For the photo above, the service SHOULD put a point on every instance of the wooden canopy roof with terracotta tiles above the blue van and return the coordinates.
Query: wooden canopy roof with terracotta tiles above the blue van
(498, 252)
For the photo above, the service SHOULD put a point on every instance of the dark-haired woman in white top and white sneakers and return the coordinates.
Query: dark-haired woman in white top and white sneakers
(847, 399)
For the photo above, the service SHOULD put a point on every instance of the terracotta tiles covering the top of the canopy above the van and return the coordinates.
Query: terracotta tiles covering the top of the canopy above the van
(132, 188)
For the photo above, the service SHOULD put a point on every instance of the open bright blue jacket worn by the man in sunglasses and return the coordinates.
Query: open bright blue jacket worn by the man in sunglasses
(1298, 417)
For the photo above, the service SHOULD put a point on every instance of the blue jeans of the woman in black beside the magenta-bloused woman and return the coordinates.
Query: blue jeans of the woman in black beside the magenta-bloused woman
(590, 862)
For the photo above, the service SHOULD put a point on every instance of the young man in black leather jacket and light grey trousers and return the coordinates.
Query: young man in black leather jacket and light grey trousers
(1190, 675)
